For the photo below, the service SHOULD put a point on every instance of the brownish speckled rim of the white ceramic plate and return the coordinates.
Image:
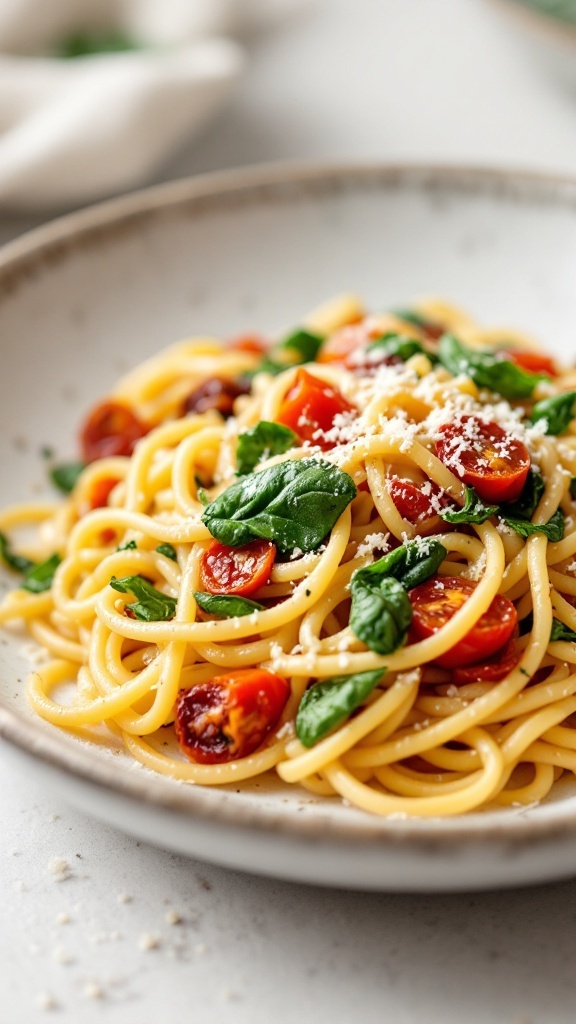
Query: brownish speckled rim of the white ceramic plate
(60, 240)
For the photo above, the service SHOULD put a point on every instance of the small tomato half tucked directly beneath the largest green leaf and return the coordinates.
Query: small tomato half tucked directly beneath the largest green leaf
(237, 571)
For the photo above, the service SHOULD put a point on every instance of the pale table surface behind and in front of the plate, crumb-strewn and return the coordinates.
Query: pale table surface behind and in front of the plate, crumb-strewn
(438, 80)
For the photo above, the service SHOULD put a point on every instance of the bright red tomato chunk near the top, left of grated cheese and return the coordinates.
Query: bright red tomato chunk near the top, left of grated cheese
(311, 407)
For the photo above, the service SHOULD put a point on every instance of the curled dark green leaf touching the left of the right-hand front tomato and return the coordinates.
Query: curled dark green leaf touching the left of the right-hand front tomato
(381, 612)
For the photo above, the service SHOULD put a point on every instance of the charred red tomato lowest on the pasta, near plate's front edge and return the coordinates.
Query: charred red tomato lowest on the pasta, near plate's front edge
(231, 716)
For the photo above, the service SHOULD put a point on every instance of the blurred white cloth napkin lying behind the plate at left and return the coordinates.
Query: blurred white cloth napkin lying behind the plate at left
(75, 131)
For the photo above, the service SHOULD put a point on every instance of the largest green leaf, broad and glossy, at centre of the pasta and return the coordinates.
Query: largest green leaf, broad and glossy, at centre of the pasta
(295, 504)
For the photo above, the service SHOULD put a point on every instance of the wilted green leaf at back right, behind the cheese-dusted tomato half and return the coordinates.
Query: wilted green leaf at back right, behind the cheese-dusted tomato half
(486, 369)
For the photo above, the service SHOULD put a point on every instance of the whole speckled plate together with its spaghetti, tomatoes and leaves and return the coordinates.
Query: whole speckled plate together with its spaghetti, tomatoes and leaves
(290, 580)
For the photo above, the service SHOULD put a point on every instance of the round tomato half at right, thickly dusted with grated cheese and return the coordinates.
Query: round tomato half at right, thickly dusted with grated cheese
(485, 457)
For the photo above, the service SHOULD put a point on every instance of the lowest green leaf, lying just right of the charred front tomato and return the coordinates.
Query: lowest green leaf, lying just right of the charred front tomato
(328, 704)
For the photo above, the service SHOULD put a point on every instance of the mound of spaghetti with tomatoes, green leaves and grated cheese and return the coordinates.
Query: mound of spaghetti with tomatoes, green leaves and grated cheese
(350, 560)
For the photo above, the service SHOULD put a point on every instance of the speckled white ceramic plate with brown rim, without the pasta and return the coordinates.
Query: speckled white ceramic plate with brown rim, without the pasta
(86, 298)
